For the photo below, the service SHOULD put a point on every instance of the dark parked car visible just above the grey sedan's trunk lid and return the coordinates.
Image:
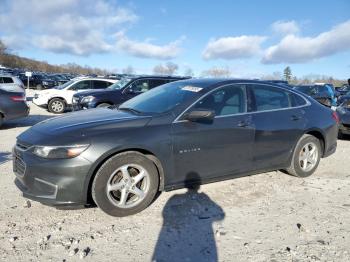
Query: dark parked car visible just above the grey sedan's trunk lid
(319, 92)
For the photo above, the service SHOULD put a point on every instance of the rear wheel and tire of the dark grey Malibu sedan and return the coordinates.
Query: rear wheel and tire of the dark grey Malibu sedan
(306, 167)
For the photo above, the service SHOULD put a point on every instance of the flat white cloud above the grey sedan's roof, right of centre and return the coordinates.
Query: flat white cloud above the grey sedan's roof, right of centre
(233, 47)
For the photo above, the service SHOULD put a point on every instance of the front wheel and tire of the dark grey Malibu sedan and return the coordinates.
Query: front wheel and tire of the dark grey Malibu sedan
(121, 171)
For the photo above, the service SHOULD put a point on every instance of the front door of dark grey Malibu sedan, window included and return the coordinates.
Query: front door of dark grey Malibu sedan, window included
(223, 147)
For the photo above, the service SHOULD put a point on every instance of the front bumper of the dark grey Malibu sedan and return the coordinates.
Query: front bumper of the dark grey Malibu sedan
(54, 182)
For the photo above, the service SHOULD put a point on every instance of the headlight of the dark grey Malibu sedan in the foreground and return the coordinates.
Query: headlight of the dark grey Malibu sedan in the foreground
(59, 151)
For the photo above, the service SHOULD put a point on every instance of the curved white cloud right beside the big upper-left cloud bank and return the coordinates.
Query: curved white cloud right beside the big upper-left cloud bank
(146, 49)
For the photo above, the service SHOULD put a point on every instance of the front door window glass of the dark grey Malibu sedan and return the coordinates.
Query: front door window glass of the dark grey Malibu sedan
(228, 100)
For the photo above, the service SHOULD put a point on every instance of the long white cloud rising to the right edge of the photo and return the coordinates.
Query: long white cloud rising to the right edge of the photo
(296, 49)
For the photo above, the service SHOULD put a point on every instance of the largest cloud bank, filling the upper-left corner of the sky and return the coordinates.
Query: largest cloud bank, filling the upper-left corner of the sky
(80, 27)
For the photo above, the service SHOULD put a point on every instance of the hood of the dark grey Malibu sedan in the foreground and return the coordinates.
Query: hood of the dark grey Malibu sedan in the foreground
(82, 124)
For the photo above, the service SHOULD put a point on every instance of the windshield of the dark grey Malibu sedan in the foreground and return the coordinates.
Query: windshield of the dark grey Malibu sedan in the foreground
(164, 98)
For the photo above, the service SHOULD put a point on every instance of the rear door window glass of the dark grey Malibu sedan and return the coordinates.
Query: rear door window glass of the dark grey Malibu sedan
(270, 98)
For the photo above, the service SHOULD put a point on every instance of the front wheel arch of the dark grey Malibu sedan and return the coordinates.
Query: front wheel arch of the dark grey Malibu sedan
(150, 155)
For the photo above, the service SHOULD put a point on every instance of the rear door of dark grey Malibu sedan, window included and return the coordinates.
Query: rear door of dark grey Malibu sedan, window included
(279, 123)
